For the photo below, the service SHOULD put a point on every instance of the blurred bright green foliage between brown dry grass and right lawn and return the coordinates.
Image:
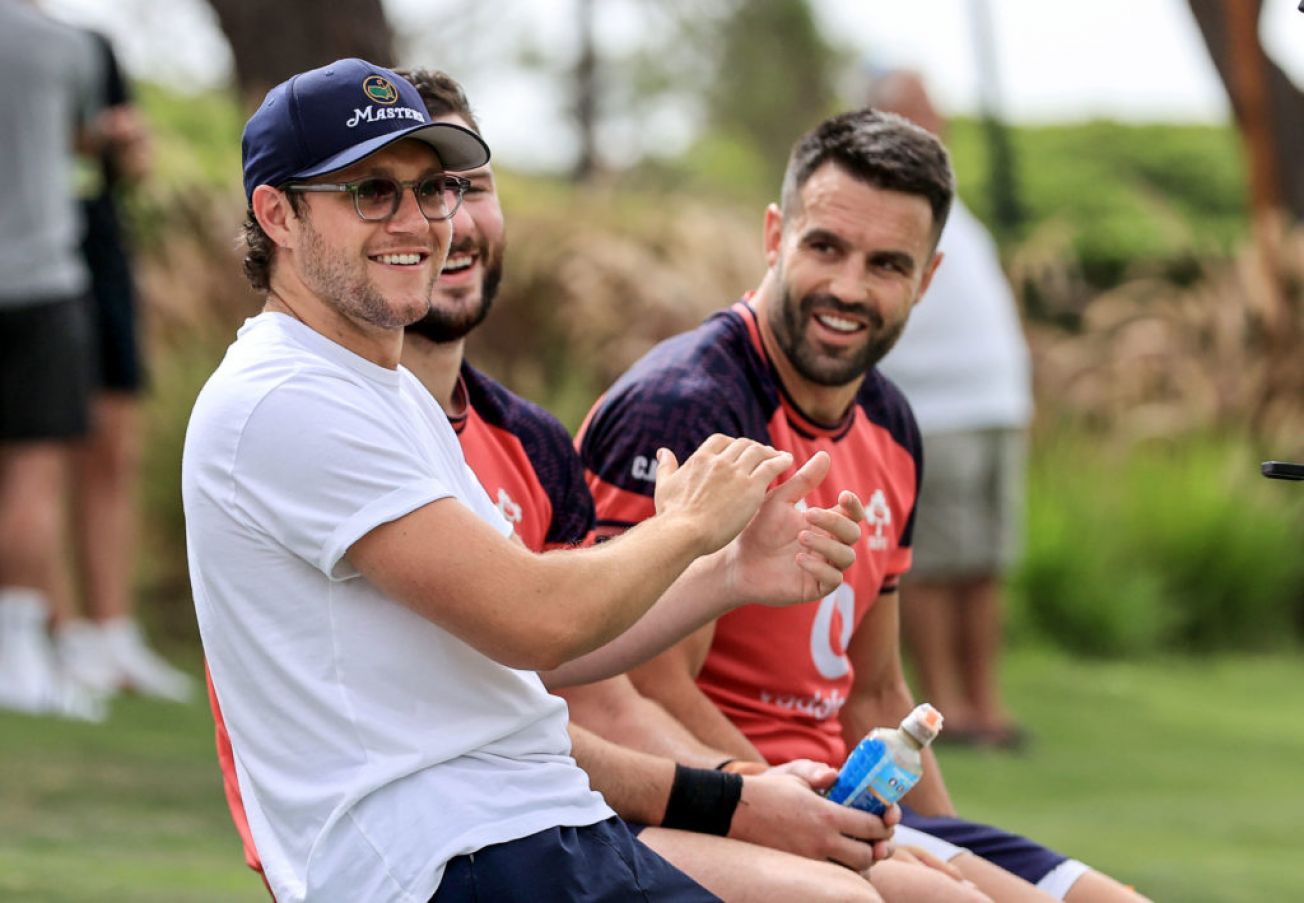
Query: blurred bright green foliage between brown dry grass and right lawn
(1177, 545)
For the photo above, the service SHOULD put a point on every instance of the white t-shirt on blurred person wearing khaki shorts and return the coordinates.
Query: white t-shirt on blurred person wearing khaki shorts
(963, 361)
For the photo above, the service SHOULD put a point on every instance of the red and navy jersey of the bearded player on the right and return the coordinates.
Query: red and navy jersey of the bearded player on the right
(782, 675)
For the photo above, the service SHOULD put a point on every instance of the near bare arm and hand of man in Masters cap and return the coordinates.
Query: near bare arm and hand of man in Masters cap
(539, 613)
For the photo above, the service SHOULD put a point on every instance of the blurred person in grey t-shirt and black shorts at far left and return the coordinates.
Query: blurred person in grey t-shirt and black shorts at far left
(50, 72)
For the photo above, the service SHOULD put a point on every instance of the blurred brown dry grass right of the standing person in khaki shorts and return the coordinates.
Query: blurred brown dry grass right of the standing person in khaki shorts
(1217, 348)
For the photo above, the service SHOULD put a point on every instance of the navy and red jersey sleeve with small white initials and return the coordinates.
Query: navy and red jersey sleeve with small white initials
(620, 440)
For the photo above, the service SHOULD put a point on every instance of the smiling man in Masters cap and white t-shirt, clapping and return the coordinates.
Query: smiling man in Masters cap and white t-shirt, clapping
(372, 634)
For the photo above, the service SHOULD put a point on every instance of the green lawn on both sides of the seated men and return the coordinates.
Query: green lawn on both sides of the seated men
(1179, 776)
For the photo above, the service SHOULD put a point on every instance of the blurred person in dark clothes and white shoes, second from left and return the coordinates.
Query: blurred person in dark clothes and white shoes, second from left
(108, 650)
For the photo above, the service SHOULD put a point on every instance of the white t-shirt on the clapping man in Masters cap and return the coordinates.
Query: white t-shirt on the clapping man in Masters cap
(371, 746)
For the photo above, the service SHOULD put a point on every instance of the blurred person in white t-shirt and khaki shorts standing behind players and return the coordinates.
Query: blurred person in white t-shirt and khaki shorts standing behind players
(964, 367)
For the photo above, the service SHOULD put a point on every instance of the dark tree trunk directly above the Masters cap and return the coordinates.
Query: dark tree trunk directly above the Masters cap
(273, 41)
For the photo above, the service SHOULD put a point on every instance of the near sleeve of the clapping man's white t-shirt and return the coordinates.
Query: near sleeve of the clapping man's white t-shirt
(319, 485)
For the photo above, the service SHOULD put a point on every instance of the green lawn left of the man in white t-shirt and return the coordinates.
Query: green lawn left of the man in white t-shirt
(126, 811)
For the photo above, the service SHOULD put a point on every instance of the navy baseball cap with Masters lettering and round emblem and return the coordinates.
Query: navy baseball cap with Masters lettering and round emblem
(331, 118)
